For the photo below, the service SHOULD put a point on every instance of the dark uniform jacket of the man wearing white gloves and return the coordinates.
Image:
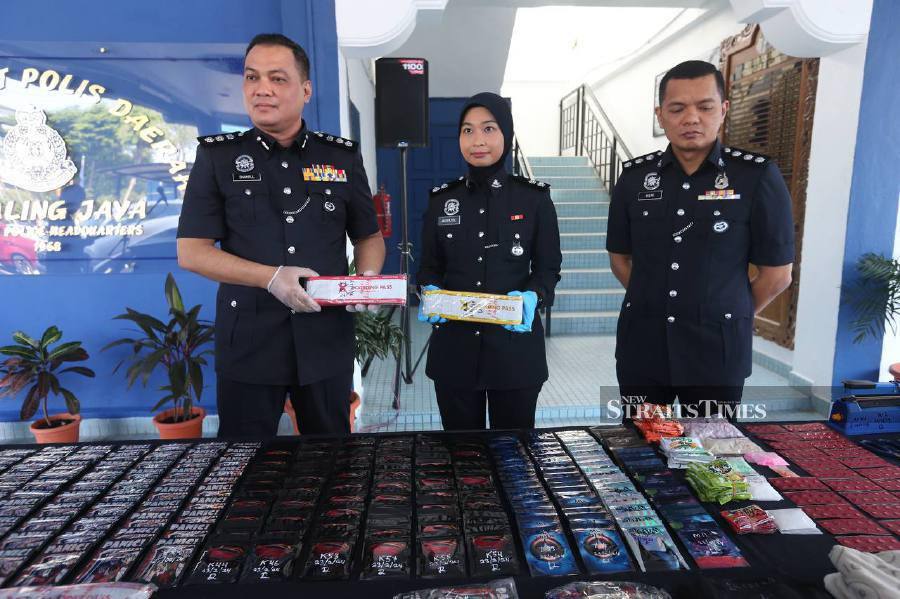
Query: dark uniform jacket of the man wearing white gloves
(277, 206)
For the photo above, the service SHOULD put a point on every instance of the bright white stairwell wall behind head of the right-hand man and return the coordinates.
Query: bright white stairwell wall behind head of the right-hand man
(627, 95)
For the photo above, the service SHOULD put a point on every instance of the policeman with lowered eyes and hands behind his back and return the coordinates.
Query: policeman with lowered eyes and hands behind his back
(684, 226)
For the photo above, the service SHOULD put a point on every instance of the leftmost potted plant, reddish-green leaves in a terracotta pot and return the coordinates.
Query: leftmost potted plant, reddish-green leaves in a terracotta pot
(37, 365)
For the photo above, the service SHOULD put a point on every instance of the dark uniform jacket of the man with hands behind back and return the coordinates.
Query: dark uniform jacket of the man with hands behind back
(687, 317)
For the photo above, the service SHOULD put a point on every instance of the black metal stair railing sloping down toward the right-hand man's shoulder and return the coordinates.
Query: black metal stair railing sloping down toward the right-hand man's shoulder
(585, 129)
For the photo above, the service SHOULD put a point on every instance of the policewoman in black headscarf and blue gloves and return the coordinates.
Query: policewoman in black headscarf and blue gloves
(489, 232)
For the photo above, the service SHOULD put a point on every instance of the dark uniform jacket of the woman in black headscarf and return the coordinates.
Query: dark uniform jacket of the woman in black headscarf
(493, 238)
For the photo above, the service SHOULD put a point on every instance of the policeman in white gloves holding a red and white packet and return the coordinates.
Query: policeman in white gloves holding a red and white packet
(280, 200)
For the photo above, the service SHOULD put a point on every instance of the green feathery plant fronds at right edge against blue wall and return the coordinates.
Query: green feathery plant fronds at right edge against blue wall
(876, 296)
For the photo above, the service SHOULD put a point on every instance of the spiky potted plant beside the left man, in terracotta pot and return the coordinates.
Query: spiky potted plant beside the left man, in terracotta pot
(179, 347)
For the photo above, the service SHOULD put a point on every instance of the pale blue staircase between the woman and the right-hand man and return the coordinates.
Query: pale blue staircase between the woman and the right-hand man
(588, 296)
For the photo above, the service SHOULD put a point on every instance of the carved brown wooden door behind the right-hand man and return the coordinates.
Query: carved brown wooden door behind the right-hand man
(773, 99)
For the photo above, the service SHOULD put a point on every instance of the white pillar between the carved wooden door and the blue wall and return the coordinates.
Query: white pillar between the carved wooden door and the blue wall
(827, 203)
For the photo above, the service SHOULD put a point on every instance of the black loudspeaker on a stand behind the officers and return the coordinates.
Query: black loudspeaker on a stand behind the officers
(401, 102)
